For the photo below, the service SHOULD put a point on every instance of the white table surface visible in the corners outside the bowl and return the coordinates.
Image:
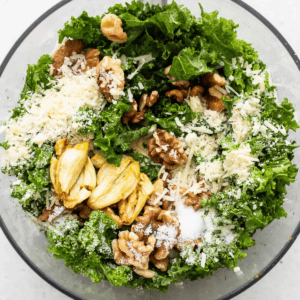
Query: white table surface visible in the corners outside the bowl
(18, 281)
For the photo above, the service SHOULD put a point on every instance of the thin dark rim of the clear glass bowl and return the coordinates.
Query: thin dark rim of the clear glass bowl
(61, 288)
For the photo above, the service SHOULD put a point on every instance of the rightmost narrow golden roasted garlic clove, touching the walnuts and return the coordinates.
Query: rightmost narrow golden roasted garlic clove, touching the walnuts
(132, 206)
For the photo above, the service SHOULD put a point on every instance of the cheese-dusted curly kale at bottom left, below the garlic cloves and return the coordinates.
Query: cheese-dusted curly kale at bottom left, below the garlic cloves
(87, 249)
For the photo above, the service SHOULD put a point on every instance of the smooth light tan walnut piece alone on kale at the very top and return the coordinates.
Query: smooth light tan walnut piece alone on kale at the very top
(111, 27)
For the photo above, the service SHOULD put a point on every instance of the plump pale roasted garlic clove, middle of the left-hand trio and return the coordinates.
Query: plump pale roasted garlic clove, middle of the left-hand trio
(70, 165)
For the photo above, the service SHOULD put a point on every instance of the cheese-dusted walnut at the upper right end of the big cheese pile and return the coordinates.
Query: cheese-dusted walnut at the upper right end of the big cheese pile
(110, 78)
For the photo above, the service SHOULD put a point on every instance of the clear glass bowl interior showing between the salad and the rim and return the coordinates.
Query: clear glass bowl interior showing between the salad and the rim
(271, 243)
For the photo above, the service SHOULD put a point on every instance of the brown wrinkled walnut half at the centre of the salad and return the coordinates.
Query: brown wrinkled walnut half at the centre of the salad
(166, 149)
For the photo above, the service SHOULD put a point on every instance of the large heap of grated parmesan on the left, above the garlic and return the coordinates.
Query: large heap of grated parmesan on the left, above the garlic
(50, 116)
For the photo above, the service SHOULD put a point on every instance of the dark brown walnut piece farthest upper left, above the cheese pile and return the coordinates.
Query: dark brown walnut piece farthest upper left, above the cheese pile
(64, 51)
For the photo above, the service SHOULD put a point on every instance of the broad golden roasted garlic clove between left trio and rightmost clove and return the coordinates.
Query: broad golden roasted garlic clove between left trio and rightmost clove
(122, 185)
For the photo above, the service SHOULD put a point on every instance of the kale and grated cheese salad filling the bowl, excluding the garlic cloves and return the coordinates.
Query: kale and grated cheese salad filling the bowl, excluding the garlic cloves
(237, 159)
